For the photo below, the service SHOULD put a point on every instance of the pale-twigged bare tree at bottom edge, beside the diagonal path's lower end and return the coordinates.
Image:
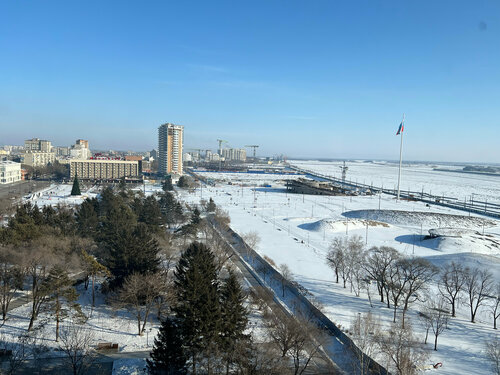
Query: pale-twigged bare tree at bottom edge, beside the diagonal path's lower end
(364, 332)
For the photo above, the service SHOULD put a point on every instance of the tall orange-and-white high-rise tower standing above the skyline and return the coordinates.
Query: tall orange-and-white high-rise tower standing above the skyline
(170, 143)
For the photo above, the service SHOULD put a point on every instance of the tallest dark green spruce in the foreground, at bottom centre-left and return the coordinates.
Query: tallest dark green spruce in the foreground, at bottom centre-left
(197, 307)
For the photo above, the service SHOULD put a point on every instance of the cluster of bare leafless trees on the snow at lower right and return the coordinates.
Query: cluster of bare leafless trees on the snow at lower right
(400, 282)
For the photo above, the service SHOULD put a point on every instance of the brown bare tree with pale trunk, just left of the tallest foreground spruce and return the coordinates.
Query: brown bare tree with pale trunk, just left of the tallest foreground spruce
(138, 294)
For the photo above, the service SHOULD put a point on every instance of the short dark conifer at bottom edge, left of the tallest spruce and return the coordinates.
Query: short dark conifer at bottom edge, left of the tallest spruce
(167, 356)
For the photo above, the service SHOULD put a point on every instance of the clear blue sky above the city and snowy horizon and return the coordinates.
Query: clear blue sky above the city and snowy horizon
(302, 78)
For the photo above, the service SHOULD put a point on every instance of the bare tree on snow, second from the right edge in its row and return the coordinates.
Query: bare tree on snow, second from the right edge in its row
(478, 286)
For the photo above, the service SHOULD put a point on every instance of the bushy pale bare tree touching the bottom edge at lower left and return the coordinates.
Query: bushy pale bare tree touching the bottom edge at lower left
(76, 344)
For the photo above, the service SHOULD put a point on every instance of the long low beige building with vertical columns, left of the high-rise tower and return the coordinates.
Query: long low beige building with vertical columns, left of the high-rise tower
(104, 169)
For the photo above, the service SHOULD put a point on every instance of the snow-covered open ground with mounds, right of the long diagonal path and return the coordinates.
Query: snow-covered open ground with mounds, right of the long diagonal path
(297, 230)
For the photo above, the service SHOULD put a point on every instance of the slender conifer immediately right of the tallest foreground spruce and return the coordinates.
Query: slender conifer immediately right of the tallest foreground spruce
(234, 319)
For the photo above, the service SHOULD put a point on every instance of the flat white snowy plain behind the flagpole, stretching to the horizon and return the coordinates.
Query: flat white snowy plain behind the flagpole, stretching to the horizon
(414, 177)
